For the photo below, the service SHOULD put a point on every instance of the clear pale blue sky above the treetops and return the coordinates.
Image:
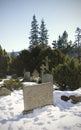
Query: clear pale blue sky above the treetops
(16, 17)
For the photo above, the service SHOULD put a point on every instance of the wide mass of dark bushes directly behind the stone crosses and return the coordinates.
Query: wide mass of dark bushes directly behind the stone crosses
(31, 60)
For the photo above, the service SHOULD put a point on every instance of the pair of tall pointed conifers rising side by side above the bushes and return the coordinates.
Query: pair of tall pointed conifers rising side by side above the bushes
(38, 36)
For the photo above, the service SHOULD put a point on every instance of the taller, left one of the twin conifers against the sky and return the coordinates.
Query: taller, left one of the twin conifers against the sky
(34, 40)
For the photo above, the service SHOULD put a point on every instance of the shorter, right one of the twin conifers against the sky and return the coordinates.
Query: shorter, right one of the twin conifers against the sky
(43, 34)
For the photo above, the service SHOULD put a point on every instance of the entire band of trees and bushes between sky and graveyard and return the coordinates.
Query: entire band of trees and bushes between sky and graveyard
(65, 56)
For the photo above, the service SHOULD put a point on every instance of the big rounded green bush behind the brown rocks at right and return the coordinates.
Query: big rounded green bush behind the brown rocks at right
(68, 74)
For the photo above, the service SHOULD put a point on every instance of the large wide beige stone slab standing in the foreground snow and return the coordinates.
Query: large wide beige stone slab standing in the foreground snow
(37, 96)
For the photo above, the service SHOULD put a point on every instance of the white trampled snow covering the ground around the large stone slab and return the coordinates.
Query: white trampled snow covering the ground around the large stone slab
(61, 116)
